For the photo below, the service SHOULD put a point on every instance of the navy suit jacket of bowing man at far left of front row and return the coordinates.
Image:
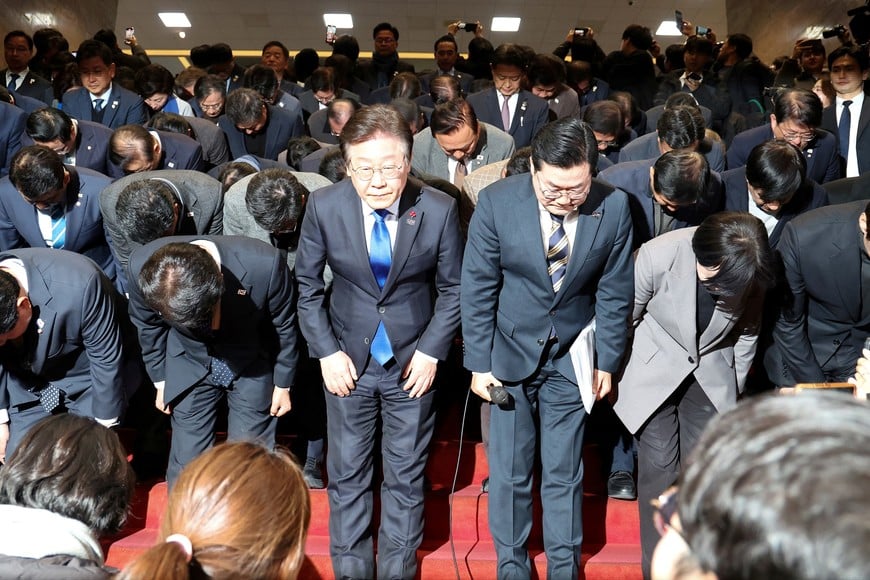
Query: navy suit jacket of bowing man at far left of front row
(77, 334)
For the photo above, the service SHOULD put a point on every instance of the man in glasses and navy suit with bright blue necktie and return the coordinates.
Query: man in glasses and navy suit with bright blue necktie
(395, 251)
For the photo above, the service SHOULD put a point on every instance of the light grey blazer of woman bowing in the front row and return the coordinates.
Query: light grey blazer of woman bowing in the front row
(666, 348)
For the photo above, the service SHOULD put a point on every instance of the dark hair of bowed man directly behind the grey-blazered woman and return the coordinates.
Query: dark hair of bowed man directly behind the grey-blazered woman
(681, 177)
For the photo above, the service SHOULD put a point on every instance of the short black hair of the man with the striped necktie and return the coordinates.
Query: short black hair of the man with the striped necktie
(565, 143)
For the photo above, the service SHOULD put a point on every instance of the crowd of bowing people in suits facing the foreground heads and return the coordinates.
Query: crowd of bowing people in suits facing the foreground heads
(695, 224)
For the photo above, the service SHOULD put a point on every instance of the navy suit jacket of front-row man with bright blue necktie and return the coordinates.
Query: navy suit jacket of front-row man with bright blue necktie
(419, 304)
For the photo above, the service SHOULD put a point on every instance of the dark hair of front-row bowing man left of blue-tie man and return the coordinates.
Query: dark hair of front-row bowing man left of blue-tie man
(183, 283)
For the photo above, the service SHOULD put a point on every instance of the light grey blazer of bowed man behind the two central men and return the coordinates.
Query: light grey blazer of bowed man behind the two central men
(428, 157)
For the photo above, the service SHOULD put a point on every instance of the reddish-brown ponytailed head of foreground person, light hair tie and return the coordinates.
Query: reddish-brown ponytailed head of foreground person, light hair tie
(239, 510)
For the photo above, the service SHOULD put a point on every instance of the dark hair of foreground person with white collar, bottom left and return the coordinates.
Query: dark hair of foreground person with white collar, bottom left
(71, 466)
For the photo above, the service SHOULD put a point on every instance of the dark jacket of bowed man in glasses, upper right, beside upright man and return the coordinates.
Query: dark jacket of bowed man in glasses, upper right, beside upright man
(822, 154)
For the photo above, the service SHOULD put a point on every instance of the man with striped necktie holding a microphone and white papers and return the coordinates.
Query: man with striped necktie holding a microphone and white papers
(547, 252)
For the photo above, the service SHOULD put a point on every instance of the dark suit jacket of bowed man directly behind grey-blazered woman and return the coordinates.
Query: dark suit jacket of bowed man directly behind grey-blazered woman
(633, 178)
